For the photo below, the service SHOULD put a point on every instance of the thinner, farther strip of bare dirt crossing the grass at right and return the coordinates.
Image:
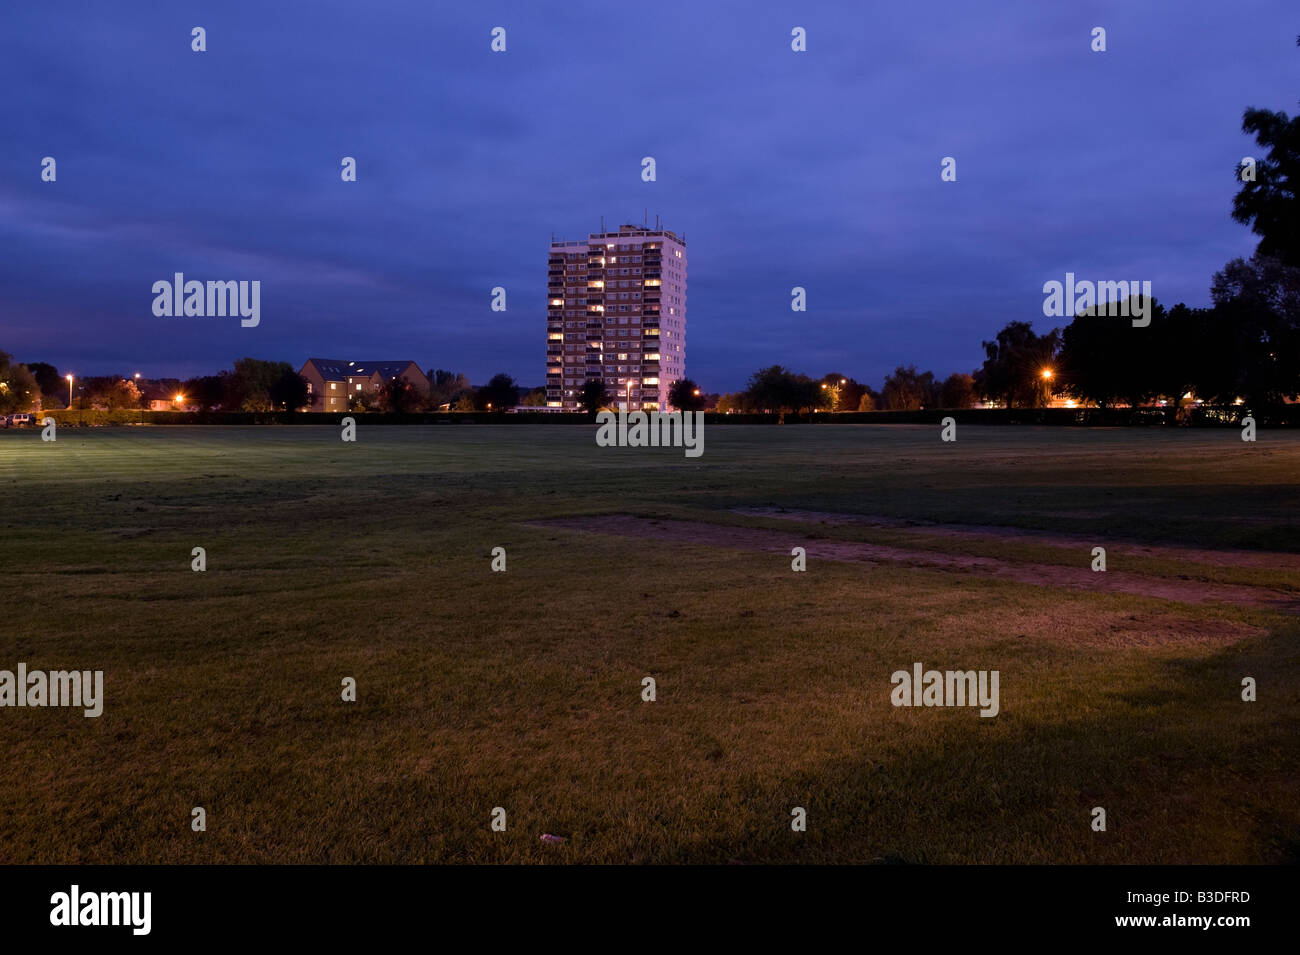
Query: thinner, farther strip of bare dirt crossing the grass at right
(1272, 561)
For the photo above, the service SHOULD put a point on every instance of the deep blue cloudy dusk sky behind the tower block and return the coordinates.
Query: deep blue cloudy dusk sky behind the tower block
(817, 170)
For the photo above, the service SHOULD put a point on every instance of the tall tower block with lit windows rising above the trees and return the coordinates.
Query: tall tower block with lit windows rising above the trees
(617, 312)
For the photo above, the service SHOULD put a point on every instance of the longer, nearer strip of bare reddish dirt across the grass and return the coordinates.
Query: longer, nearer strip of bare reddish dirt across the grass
(856, 552)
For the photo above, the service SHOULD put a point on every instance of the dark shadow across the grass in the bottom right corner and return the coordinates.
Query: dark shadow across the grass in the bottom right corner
(1188, 772)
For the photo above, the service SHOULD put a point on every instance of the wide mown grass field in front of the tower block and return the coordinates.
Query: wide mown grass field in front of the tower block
(523, 689)
